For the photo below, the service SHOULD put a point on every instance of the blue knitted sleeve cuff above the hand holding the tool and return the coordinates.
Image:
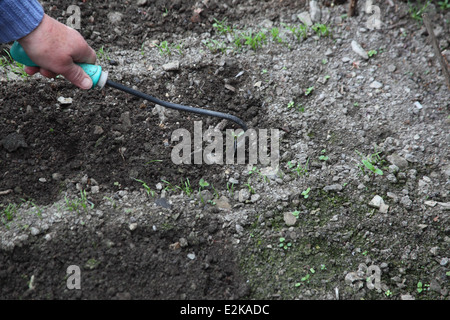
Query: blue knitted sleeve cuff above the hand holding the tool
(19, 18)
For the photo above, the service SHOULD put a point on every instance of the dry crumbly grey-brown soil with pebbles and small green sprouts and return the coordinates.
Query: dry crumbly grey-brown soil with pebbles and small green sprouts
(321, 226)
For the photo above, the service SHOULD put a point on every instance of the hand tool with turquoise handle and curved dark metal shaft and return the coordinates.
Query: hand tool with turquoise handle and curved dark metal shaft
(100, 79)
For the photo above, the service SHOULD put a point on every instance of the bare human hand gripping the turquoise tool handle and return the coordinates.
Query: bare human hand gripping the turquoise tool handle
(56, 48)
